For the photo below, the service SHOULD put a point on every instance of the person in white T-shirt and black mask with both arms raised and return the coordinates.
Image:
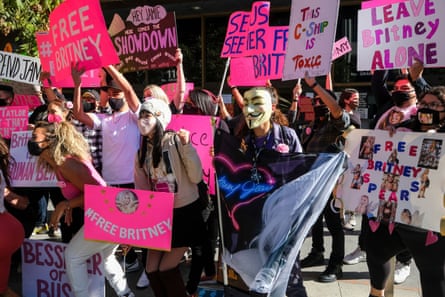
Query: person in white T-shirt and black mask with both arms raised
(120, 134)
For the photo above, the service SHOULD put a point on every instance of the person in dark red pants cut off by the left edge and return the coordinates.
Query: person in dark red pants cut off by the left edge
(12, 232)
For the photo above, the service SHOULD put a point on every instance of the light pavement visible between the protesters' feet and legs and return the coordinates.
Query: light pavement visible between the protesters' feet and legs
(355, 281)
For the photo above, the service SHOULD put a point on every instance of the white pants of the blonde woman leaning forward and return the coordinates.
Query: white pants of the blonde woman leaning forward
(76, 255)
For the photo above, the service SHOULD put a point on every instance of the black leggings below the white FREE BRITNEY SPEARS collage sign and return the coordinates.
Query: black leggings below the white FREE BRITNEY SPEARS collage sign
(430, 260)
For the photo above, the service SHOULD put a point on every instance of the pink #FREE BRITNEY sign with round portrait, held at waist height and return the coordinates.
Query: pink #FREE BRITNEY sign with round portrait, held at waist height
(127, 216)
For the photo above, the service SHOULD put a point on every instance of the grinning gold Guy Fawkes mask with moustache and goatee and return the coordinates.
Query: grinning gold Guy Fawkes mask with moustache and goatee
(257, 107)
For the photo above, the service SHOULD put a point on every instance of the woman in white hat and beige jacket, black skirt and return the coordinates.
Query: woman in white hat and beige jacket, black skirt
(168, 162)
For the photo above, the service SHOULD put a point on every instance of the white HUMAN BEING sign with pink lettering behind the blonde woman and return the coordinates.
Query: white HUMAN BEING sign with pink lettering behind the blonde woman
(24, 171)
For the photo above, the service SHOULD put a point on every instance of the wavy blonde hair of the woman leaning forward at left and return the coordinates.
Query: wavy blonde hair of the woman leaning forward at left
(64, 141)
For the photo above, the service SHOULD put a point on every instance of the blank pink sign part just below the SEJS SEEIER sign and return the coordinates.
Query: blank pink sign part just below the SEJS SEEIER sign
(242, 73)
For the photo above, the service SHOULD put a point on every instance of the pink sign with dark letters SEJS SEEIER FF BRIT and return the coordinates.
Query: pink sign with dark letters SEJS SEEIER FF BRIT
(249, 35)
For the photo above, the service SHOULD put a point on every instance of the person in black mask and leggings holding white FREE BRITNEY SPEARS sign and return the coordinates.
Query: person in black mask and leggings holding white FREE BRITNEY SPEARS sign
(430, 259)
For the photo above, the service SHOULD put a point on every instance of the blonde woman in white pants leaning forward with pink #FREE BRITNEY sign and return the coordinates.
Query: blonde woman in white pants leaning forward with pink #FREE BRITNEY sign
(62, 149)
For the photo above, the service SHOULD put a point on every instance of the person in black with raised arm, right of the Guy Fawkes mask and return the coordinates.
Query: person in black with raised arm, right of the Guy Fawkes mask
(321, 135)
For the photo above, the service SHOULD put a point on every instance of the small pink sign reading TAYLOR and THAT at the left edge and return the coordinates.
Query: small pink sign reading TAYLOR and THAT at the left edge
(13, 118)
